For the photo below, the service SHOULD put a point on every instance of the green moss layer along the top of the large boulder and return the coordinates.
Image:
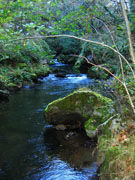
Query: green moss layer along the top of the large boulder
(81, 96)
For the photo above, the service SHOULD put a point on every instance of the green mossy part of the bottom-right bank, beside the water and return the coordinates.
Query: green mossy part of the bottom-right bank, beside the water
(112, 156)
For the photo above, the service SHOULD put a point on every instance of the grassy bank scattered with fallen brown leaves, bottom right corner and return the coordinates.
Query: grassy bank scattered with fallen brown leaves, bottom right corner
(117, 154)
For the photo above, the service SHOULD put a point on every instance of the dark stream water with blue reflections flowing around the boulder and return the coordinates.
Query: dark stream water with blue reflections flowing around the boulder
(28, 151)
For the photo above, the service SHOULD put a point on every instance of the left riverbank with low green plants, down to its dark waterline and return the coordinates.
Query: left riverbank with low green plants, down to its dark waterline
(13, 78)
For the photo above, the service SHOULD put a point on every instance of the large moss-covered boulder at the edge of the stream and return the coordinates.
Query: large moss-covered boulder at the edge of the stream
(83, 108)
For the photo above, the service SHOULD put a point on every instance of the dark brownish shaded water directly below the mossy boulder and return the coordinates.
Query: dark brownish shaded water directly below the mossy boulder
(74, 148)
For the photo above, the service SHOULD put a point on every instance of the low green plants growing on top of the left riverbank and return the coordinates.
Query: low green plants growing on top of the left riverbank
(18, 75)
